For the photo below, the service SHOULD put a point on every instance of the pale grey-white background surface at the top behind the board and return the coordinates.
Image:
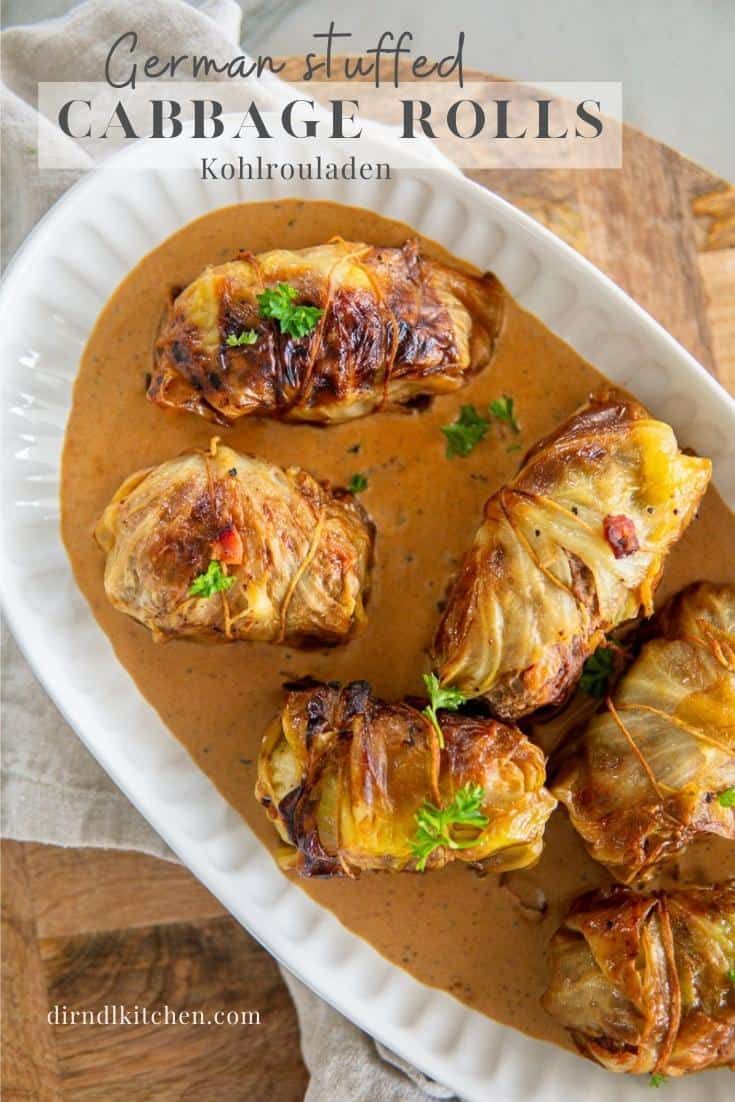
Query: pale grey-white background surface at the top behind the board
(676, 58)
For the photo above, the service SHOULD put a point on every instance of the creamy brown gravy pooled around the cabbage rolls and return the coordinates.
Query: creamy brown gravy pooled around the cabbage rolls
(452, 930)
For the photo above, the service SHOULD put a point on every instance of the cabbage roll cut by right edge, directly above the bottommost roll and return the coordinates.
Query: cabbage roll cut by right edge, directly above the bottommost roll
(657, 769)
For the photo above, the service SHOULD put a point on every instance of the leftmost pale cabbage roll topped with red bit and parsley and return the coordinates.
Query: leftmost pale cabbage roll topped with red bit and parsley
(221, 547)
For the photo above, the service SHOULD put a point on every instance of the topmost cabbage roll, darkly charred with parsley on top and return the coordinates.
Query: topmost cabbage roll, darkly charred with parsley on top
(325, 334)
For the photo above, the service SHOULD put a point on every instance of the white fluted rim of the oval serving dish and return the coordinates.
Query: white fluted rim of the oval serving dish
(49, 302)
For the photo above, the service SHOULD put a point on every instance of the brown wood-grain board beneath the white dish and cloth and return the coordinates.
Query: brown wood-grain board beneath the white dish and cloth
(85, 928)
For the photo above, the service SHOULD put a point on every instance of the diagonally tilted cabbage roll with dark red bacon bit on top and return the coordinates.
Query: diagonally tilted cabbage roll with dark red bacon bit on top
(571, 548)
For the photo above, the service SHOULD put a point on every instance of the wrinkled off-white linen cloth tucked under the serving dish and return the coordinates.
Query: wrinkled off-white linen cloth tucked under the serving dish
(53, 791)
